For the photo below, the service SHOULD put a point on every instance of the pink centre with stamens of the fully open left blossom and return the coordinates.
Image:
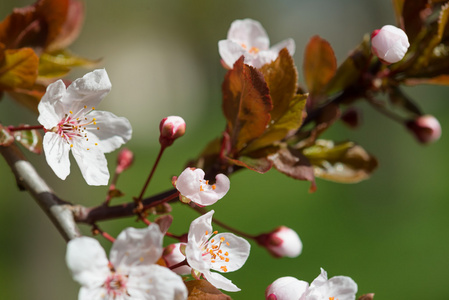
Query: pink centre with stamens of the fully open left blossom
(76, 126)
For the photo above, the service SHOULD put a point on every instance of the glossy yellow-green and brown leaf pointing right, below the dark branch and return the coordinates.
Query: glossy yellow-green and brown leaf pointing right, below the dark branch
(345, 162)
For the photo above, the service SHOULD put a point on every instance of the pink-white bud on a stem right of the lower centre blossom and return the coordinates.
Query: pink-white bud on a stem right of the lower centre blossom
(281, 242)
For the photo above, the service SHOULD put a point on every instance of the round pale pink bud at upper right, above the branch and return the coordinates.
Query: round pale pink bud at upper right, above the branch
(389, 43)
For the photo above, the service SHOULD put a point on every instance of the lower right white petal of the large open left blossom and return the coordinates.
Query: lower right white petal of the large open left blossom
(92, 162)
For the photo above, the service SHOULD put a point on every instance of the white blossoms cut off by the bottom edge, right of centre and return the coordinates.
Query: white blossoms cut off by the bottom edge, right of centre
(321, 288)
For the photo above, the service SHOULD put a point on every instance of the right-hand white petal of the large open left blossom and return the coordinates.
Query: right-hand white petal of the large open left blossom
(112, 131)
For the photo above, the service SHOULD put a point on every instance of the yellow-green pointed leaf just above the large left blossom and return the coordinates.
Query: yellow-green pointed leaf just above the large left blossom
(59, 63)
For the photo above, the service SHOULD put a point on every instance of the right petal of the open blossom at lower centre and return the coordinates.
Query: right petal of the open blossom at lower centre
(238, 251)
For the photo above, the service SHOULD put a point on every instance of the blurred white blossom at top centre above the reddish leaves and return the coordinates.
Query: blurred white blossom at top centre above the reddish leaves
(248, 38)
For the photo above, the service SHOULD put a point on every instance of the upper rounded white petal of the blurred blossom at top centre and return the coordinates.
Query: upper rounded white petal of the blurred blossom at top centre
(249, 32)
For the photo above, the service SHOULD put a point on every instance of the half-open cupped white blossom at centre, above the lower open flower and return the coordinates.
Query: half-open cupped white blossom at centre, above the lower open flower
(192, 186)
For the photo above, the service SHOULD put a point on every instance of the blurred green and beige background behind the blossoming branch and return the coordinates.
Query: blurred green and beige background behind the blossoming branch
(390, 233)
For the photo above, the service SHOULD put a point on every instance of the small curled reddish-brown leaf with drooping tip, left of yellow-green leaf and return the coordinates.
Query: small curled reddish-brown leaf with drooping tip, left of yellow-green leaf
(294, 164)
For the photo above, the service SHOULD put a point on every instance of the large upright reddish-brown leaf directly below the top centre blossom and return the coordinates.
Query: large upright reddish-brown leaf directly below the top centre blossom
(246, 104)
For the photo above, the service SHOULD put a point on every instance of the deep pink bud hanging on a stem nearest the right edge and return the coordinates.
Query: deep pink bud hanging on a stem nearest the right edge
(425, 128)
